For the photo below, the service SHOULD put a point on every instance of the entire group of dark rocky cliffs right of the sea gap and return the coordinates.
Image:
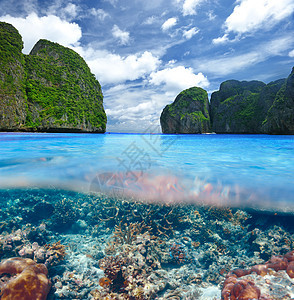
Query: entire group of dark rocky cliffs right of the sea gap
(237, 107)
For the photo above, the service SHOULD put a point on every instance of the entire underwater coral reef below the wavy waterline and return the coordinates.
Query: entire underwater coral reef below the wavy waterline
(57, 244)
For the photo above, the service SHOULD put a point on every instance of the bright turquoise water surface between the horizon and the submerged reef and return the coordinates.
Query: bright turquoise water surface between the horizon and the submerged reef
(239, 170)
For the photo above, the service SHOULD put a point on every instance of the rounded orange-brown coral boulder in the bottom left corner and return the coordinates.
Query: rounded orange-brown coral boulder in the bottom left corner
(30, 282)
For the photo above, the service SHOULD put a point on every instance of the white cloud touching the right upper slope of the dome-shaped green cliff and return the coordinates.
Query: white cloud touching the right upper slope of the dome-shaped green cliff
(112, 68)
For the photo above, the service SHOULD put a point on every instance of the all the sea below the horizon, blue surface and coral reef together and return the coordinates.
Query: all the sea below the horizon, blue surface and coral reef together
(146, 216)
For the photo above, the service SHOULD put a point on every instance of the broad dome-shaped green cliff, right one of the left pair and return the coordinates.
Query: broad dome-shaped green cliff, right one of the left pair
(61, 85)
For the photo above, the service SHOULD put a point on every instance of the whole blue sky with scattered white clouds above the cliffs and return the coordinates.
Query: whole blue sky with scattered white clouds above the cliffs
(144, 52)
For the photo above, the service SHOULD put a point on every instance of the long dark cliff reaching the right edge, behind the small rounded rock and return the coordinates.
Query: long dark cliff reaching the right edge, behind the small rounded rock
(254, 107)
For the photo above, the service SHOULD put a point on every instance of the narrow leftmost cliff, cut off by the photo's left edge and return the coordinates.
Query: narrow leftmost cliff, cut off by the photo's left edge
(12, 79)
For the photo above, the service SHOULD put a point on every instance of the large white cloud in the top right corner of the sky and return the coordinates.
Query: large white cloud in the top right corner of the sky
(251, 15)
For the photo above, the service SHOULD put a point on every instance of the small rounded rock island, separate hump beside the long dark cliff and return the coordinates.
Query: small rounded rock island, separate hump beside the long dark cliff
(189, 113)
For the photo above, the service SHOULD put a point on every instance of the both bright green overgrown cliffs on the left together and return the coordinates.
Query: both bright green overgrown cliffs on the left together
(51, 89)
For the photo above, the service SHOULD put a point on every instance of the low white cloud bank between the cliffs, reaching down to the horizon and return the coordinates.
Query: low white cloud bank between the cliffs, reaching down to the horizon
(132, 108)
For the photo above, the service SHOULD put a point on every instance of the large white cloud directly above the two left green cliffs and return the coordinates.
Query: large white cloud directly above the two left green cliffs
(32, 28)
